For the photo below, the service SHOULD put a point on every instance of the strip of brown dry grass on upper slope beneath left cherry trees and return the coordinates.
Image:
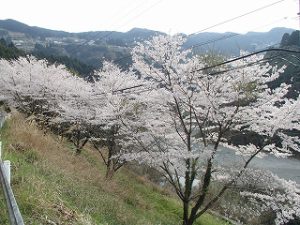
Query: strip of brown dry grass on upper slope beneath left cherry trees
(28, 138)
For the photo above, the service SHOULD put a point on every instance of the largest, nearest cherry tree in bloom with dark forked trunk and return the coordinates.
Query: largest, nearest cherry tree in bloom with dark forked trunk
(191, 112)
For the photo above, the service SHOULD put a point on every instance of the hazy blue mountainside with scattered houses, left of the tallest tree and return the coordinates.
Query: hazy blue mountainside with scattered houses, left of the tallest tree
(87, 47)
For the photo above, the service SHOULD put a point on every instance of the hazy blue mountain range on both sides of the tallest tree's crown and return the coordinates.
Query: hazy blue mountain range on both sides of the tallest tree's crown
(92, 47)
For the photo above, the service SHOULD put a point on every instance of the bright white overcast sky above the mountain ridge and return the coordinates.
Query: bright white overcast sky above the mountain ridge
(170, 16)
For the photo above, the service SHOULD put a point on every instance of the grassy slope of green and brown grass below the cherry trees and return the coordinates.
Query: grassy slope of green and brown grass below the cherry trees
(53, 186)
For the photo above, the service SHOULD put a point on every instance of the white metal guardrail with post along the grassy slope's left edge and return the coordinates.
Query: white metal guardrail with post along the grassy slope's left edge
(11, 203)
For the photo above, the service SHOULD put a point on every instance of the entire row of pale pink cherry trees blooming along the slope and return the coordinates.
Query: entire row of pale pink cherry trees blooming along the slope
(171, 113)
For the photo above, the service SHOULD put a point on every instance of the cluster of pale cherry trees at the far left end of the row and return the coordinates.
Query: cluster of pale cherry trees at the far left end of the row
(46, 93)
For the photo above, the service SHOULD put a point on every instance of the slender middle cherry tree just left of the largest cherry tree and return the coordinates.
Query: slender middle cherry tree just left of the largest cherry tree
(116, 107)
